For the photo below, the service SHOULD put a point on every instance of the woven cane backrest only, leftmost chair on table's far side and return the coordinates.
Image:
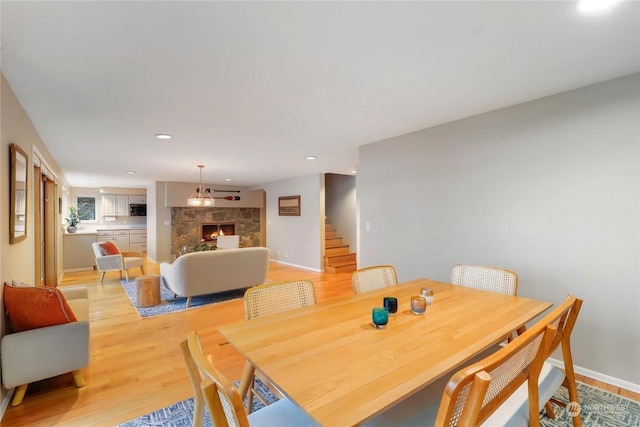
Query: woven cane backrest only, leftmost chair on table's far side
(270, 298)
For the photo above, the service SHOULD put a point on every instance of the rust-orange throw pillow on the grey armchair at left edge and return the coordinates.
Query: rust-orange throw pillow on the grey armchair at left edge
(32, 307)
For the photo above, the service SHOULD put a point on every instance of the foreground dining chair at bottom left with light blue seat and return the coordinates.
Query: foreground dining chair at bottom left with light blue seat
(213, 389)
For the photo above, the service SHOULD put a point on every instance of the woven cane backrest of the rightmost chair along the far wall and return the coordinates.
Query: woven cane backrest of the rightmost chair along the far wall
(485, 278)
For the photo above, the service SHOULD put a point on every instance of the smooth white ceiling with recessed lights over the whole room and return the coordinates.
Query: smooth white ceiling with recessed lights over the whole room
(250, 88)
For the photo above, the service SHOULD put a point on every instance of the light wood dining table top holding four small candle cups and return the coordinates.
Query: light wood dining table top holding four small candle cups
(332, 362)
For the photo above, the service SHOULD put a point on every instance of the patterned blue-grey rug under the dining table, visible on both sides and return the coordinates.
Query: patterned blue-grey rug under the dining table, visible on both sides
(598, 408)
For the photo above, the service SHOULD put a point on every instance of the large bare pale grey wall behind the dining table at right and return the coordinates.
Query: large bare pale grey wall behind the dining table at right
(549, 189)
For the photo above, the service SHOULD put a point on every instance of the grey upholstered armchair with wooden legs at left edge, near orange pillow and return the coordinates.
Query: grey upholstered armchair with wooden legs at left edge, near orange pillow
(45, 352)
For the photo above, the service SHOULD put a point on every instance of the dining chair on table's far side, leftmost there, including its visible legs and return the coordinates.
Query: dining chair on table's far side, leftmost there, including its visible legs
(271, 298)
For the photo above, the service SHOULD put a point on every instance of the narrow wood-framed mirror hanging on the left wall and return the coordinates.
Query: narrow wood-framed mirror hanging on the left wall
(18, 194)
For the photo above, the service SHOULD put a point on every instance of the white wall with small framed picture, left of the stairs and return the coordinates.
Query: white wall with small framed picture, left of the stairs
(295, 240)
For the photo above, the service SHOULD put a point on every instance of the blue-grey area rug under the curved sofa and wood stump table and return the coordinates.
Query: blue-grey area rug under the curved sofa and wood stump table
(172, 305)
